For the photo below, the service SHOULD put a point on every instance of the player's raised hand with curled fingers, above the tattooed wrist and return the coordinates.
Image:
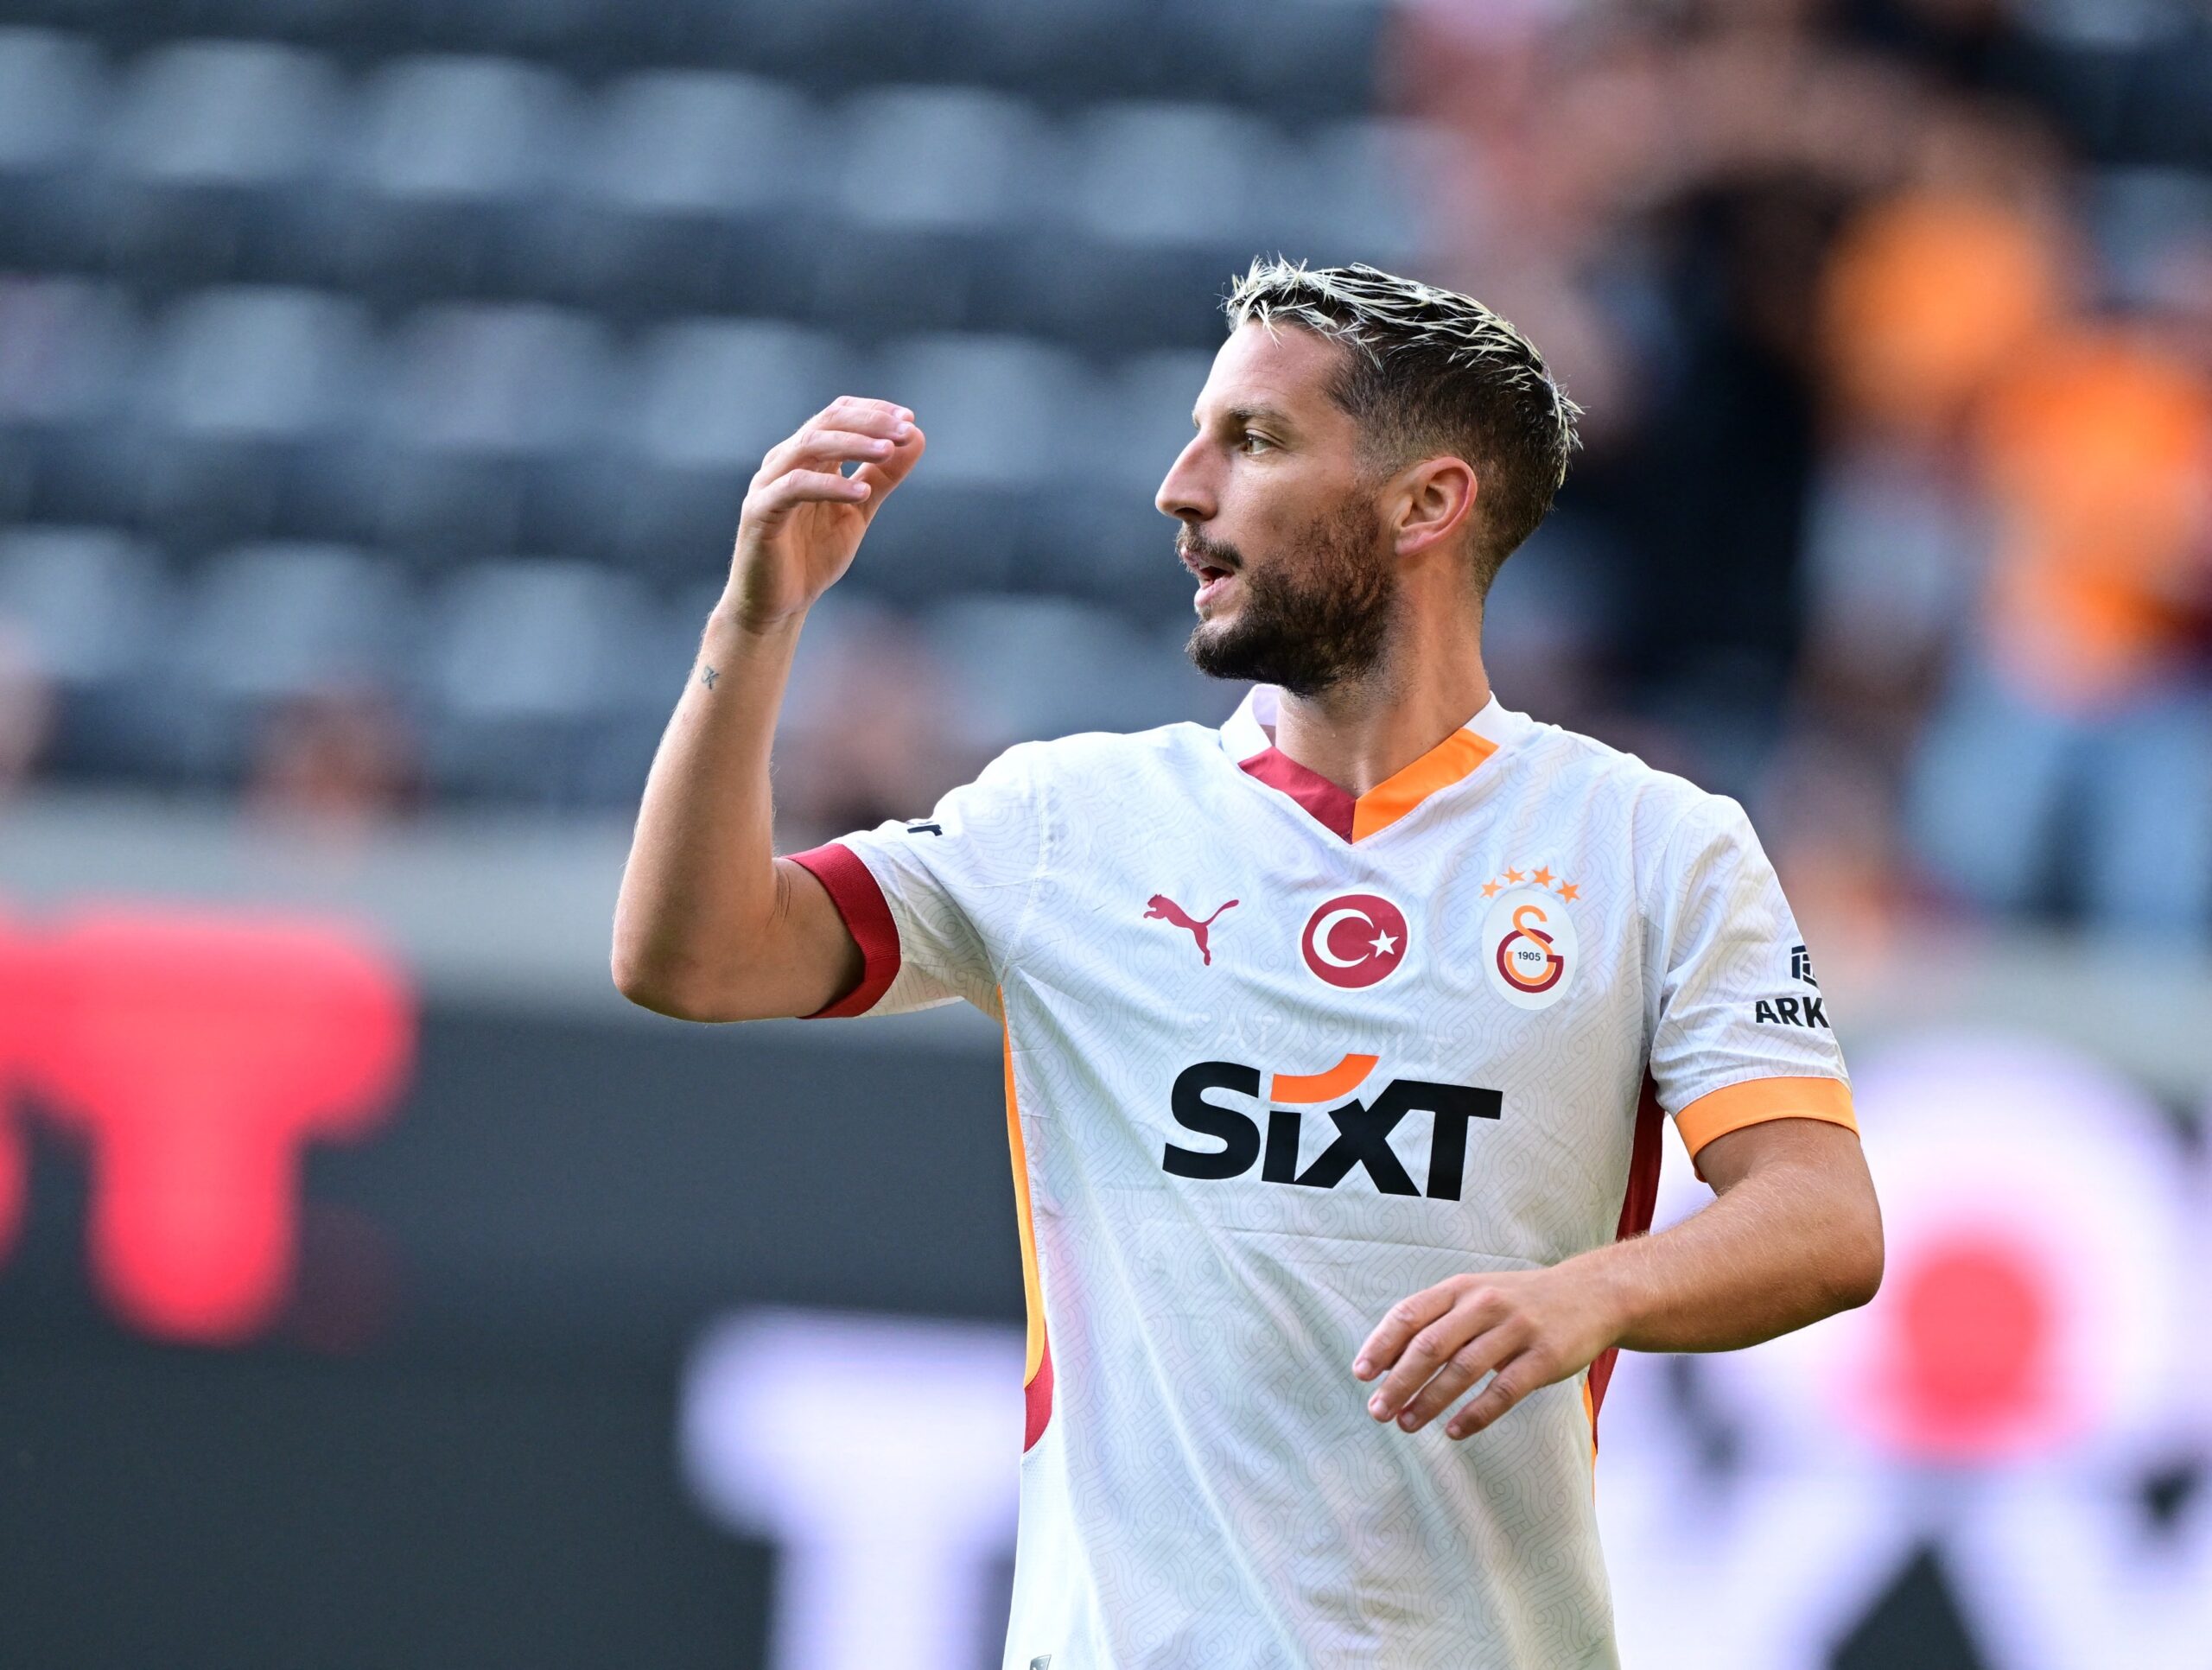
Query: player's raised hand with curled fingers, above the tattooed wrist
(804, 516)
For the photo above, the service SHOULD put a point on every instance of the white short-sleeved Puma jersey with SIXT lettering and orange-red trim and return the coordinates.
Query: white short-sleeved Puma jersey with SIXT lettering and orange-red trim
(1280, 1056)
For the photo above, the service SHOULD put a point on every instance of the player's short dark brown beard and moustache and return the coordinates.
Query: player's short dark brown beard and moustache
(1313, 616)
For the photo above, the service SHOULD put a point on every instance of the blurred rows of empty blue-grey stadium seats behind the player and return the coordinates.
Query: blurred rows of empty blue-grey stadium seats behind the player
(313, 313)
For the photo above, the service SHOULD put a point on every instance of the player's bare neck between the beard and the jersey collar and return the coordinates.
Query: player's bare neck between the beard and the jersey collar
(1428, 685)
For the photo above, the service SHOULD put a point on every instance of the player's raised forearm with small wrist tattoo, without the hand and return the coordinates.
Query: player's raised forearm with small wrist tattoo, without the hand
(702, 877)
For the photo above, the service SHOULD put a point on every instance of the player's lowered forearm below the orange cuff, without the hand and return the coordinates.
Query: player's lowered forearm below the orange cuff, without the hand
(1777, 1251)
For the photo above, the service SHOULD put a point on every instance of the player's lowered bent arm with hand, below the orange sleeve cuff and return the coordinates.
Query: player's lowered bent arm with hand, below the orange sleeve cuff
(1793, 1238)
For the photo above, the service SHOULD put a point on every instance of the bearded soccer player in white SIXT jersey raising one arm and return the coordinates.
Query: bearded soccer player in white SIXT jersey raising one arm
(1337, 1038)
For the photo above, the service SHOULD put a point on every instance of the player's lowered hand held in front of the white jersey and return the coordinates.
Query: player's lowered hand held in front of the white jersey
(1527, 1326)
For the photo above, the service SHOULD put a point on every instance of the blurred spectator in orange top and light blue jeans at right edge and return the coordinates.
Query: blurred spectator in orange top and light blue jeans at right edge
(2074, 749)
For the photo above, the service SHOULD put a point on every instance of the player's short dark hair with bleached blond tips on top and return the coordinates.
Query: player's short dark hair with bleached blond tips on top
(1432, 370)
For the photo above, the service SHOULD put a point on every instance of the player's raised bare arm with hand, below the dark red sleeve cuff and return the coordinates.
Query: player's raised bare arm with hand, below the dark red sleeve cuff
(711, 926)
